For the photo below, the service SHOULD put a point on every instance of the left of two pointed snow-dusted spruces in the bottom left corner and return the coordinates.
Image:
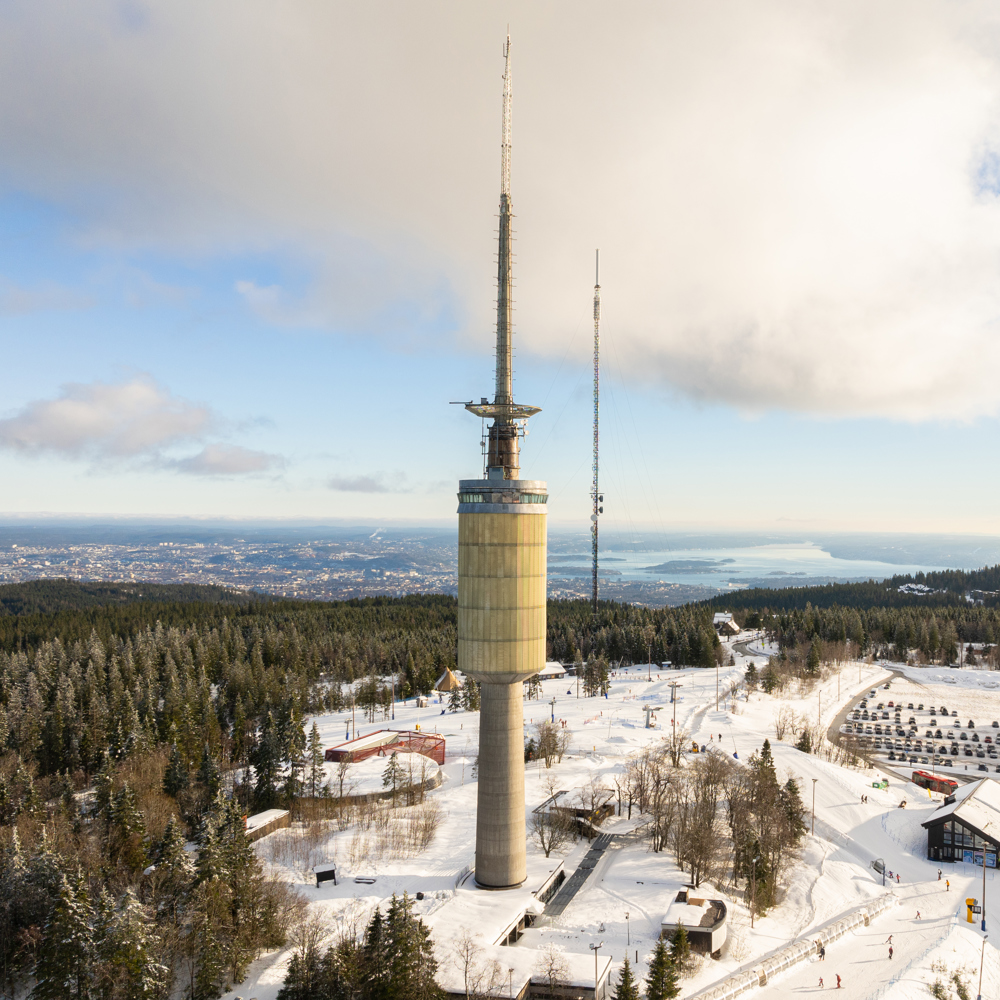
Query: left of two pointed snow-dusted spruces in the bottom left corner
(65, 968)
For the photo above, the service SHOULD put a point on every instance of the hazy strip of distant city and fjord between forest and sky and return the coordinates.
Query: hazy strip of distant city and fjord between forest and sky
(322, 562)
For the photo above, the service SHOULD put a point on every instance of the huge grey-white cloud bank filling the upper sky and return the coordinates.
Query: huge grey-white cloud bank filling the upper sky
(797, 203)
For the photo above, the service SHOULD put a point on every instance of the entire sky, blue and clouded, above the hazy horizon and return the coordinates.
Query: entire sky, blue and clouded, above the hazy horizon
(232, 286)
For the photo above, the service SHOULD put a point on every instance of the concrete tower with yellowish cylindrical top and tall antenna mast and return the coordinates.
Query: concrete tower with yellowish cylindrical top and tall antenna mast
(501, 585)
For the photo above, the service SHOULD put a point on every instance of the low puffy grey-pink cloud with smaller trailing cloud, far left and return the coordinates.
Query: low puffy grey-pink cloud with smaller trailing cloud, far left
(137, 420)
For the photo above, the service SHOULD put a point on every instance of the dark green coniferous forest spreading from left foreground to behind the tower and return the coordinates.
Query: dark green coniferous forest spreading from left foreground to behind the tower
(130, 717)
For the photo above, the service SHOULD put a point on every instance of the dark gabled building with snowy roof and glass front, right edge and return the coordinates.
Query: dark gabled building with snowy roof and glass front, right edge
(967, 827)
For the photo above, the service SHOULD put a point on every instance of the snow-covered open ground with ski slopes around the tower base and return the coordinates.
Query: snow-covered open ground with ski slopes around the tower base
(832, 877)
